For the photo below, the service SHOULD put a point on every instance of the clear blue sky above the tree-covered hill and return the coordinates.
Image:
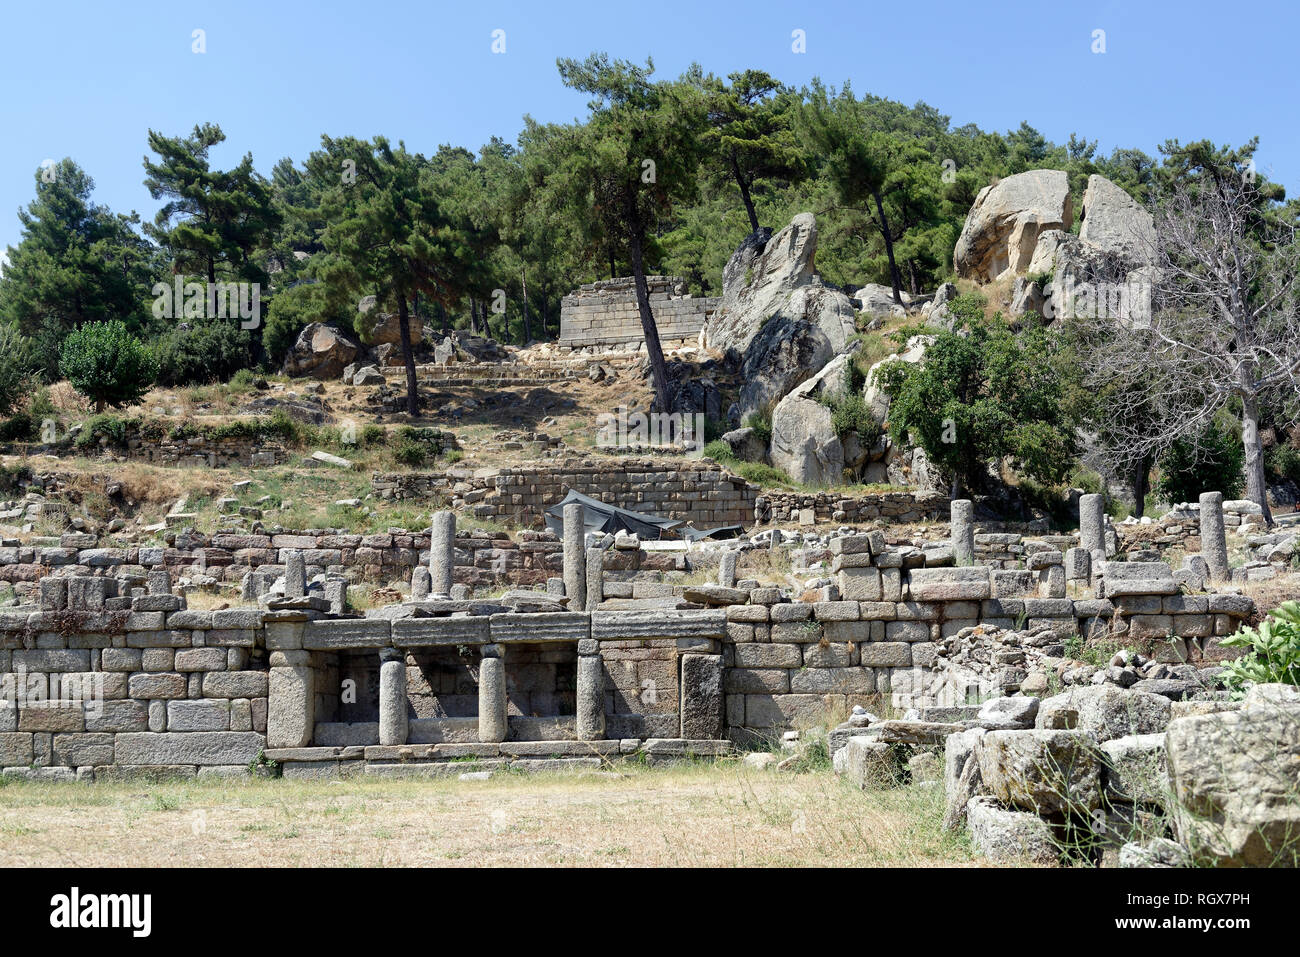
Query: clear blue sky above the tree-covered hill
(89, 80)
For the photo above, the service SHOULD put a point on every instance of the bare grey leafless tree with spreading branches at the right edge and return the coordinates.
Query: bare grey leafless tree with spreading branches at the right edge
(1223, 334)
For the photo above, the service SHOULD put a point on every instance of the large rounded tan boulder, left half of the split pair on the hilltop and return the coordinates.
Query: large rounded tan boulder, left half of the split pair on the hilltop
(1004, 226)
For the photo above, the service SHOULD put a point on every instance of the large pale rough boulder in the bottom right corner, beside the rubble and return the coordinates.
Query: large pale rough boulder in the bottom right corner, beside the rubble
(1237, 778)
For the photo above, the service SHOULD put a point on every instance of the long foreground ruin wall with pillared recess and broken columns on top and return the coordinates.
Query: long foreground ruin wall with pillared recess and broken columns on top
(118, 675)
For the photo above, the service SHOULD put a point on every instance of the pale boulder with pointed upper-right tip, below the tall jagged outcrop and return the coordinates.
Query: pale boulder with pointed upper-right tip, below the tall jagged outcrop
(804, 440)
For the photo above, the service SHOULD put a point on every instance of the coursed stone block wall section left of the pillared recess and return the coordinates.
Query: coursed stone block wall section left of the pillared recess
(96, 682)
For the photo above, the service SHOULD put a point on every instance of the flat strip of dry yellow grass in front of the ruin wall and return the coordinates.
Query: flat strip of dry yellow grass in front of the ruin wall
(692, 816)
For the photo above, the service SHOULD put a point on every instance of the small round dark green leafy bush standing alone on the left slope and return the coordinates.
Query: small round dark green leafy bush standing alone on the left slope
(107, 365)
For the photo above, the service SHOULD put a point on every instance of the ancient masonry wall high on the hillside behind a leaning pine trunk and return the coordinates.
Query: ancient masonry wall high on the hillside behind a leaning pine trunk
(605, 314)
